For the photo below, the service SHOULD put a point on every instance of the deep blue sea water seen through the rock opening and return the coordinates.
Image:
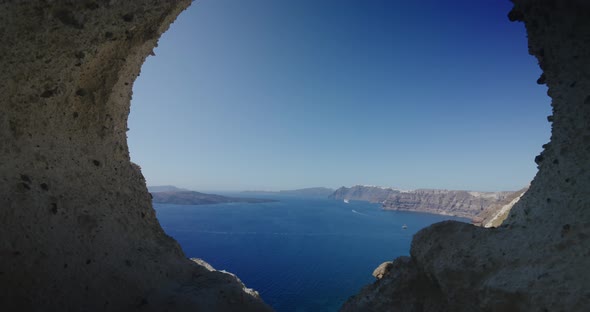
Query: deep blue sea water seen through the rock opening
(300, 254)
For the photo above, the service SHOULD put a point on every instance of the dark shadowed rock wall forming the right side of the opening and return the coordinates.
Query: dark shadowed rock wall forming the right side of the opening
(538, 260)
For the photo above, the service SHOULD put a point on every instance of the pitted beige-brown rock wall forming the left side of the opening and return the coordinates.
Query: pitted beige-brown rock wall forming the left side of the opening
(78, 231)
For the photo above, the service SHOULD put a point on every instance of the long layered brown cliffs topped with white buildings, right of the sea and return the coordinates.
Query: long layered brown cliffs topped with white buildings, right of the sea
(483, 208)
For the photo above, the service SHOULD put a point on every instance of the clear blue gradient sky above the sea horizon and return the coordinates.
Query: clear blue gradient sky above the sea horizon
(268, 94)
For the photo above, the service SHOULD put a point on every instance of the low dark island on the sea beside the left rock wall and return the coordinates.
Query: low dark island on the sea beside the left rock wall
(168, 194)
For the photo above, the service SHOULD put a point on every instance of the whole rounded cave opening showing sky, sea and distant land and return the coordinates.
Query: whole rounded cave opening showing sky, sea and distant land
(258, 101)
